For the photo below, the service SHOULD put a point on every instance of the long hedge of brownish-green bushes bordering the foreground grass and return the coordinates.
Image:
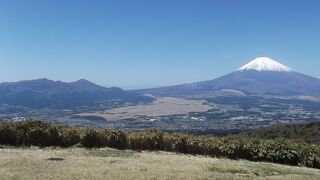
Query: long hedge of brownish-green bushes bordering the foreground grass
(42, 134)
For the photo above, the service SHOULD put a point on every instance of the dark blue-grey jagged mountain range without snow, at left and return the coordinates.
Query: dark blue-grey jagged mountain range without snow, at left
(42, 93)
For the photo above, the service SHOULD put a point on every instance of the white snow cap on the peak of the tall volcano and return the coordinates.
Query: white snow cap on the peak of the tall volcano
(265, 64)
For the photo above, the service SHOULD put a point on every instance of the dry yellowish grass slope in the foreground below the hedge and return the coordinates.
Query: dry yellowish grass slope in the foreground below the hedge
(80, 163)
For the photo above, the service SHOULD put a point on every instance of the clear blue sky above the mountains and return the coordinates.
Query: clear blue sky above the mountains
(149, 43)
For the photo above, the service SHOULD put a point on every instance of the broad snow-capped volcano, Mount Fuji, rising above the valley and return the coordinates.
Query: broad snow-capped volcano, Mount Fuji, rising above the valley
(262, 76)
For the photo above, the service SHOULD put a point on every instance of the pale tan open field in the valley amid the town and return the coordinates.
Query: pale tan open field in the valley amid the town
(160, 107)
